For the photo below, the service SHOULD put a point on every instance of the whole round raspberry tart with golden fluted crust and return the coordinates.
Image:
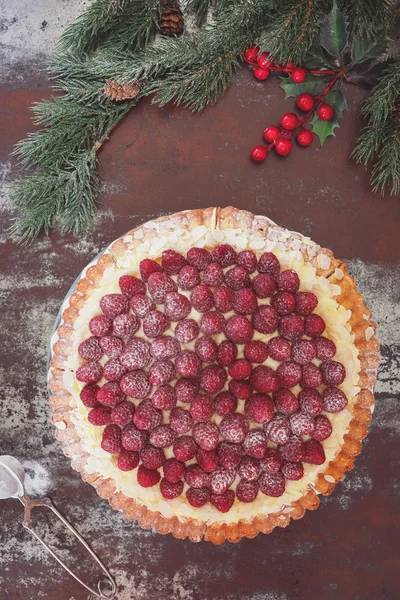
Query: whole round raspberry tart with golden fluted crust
(212, 374)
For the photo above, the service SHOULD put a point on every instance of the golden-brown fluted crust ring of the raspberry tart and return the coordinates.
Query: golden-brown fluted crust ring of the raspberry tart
(326, 265)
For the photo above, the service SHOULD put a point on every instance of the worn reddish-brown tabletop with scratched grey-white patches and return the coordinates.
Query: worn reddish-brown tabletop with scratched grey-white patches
(159, 161)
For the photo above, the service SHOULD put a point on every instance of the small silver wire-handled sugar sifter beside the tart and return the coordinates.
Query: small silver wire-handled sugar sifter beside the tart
(12, 476)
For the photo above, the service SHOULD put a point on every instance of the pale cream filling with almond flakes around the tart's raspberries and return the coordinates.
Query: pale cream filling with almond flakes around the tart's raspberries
(338, 329)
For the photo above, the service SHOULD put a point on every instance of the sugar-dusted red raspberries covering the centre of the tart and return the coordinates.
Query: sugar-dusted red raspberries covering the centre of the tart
(158, 375)
